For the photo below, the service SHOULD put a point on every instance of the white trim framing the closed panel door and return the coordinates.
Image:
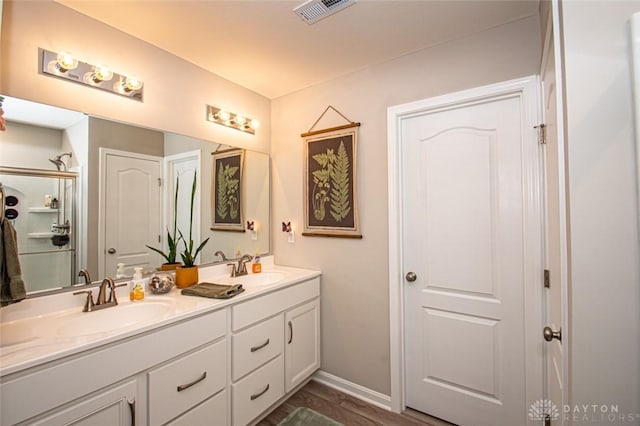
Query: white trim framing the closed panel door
(528, 90)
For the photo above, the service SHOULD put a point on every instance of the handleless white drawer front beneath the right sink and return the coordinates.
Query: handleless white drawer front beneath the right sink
(252, 311)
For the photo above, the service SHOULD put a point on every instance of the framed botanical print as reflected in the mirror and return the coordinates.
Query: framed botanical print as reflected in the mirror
(226, 190)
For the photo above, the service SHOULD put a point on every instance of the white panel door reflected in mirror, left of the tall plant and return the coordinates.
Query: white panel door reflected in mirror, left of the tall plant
(132, 211)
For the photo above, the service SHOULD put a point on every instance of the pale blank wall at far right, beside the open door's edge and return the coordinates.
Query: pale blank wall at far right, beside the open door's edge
(605, 292)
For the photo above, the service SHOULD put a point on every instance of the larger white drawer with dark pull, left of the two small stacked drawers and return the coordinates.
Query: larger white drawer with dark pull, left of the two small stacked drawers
(183, 383)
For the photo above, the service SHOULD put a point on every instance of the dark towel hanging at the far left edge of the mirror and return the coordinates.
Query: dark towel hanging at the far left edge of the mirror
(11, 284)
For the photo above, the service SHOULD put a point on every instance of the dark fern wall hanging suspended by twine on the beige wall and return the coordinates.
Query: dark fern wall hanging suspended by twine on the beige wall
(330, 195)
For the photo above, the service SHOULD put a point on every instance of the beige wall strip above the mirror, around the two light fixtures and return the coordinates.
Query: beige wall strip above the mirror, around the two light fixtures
(176, 91)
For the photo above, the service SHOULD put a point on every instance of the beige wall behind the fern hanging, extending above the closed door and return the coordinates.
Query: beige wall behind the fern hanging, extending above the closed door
(355, 311)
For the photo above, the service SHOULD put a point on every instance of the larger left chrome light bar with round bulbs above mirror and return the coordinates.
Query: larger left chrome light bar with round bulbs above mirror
(64, 65)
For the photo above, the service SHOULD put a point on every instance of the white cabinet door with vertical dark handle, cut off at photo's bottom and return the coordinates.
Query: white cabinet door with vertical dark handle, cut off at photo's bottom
(114, 407)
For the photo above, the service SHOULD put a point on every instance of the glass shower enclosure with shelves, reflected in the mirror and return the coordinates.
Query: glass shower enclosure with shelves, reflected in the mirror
(41, 205)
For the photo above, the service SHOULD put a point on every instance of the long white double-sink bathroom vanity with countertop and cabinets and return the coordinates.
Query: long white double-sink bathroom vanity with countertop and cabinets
(167, 360)
